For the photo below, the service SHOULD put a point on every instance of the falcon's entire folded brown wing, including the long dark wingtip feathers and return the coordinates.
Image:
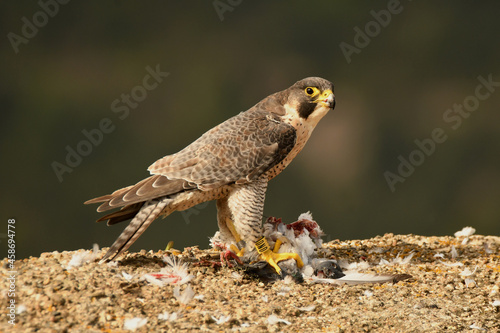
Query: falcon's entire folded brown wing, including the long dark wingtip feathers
(236, 151)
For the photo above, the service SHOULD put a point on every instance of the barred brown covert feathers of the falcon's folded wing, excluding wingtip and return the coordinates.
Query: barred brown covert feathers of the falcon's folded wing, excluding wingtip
(238, 150)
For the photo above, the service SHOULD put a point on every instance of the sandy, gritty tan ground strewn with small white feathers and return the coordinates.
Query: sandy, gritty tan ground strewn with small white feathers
(455, 288)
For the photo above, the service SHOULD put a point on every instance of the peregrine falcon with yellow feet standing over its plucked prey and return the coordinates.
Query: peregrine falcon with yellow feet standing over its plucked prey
(232, 164)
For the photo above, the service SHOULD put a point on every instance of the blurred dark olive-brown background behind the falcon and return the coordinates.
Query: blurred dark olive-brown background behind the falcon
(223, 57)
